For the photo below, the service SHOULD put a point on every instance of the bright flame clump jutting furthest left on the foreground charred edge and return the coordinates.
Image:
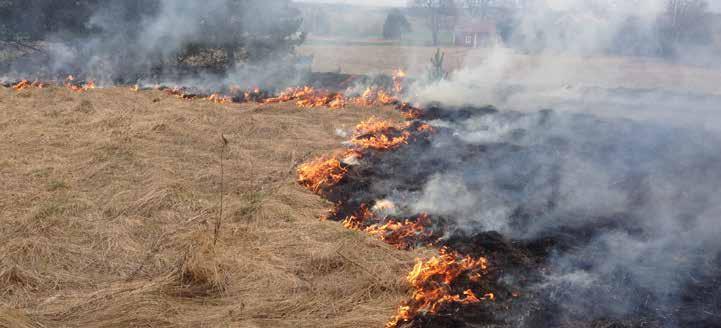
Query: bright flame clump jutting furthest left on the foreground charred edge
(323, 173)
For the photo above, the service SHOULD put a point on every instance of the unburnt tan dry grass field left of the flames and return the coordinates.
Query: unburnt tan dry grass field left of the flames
(109, 198)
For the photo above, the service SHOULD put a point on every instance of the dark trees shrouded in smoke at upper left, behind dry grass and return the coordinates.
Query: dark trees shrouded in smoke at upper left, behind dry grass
(129, 31)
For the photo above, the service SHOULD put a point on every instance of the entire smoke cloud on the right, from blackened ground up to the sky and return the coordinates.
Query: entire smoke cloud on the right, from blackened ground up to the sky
(623, 173)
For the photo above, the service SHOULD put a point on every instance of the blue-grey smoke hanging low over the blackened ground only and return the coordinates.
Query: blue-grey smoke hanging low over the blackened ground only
(632, 207)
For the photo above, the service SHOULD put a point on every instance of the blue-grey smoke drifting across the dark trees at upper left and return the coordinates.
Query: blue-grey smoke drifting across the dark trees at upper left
(206, 44)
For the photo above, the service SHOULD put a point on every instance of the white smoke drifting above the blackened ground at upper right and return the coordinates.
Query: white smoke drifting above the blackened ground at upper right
(589, 56)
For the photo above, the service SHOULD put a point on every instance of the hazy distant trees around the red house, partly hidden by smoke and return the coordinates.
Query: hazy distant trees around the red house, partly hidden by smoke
(682, 23)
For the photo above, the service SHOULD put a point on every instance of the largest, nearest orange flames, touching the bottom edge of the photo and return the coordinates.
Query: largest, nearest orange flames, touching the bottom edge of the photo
(435, 285)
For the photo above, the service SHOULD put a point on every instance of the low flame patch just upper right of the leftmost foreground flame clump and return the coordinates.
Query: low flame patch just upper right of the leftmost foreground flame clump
(380, 135)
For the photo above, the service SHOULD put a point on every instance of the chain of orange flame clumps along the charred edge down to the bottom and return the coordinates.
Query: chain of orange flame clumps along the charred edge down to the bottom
(434, 282)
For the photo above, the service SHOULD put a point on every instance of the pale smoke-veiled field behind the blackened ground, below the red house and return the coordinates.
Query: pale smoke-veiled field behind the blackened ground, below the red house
(644, 89)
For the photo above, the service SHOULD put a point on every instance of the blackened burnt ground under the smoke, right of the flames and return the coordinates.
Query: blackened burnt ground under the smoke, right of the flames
(522, 261)
